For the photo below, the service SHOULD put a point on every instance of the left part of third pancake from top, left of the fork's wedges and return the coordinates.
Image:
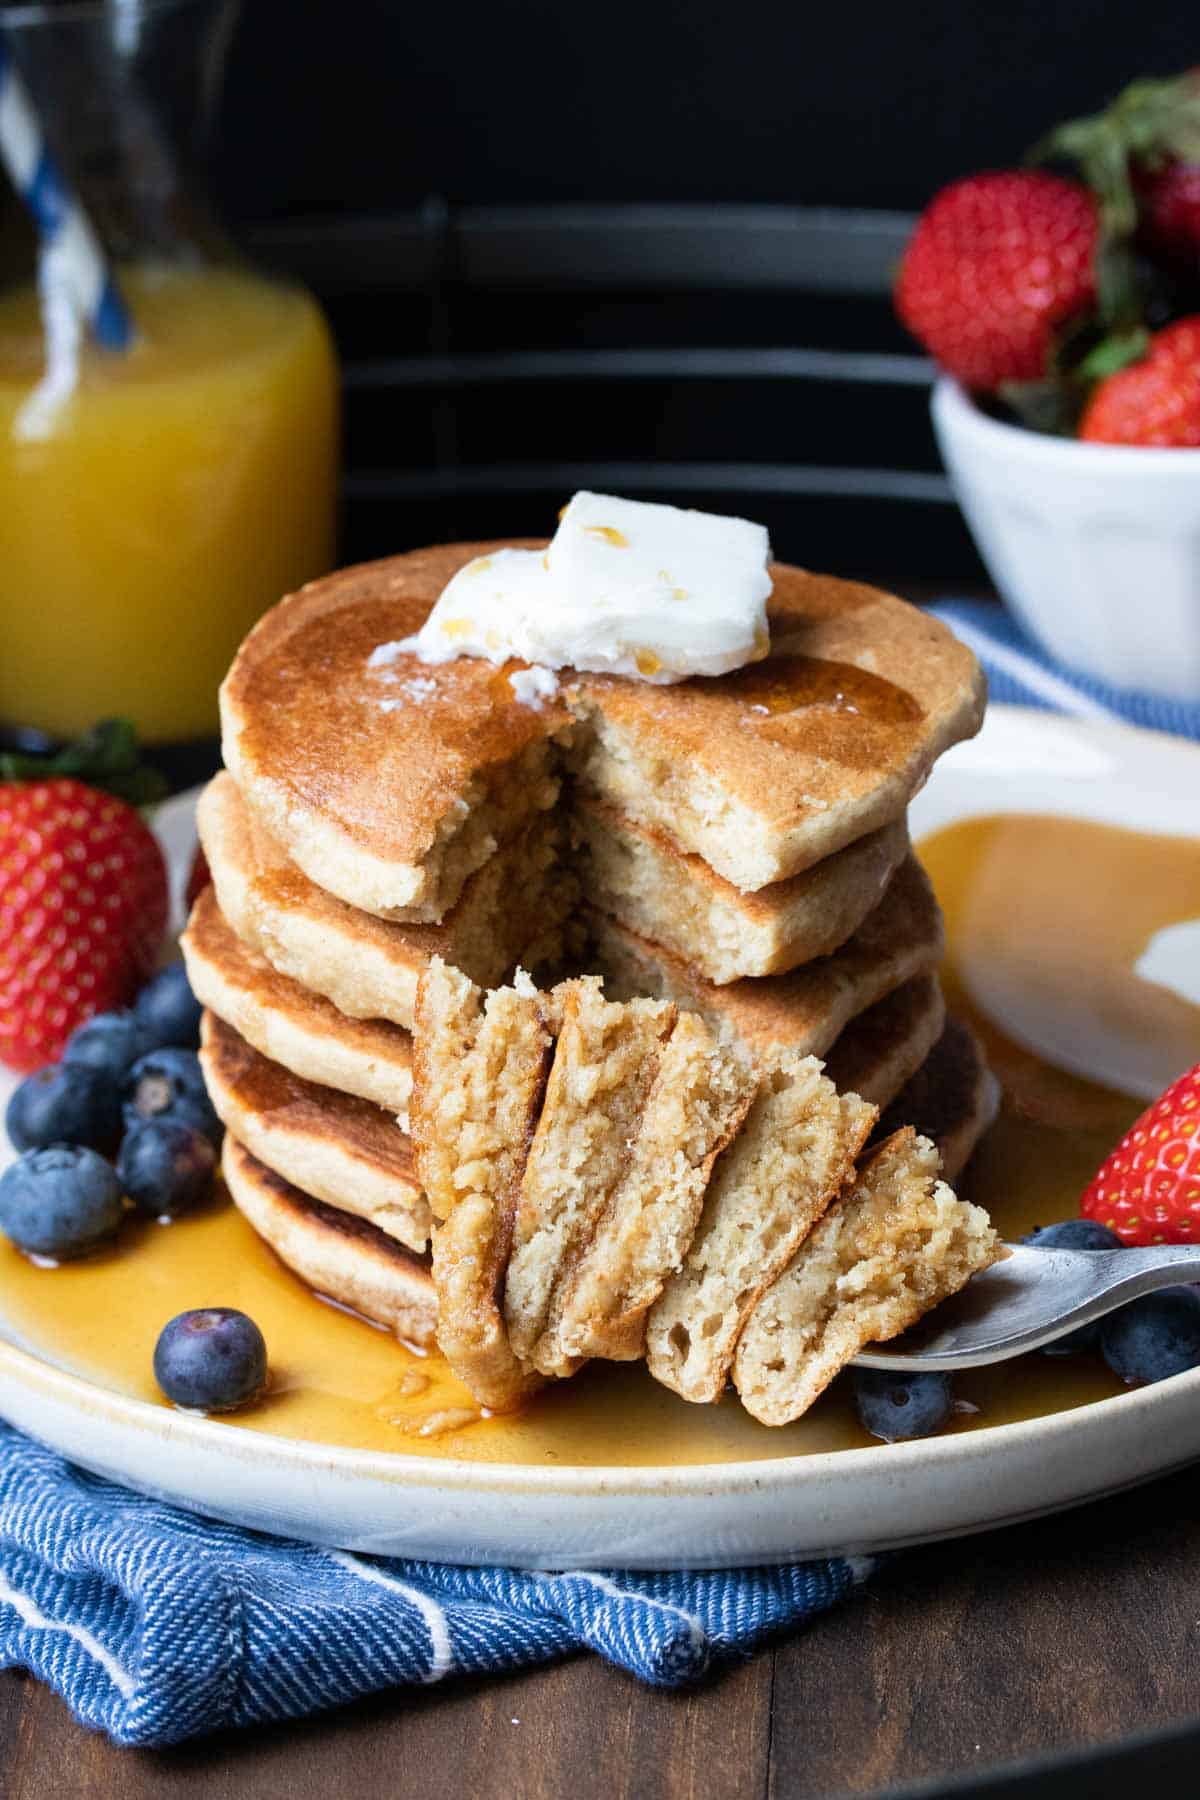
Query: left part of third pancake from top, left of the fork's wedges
(282, 1020)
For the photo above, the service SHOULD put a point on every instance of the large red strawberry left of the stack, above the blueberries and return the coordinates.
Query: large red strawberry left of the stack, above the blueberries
(84, 906)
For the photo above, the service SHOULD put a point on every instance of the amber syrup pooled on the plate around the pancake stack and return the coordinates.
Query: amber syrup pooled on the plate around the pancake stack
(1043, 917)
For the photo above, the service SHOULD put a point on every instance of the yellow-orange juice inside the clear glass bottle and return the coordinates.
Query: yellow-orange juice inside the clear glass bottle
(181, 490)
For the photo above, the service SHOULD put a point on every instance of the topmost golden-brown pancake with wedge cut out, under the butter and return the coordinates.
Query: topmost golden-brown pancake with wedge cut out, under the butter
(391, 786)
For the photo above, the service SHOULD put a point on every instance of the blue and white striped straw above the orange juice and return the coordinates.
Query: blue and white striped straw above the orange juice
(64, 228)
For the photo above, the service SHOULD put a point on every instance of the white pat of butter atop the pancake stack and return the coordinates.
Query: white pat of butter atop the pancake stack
(627, 588)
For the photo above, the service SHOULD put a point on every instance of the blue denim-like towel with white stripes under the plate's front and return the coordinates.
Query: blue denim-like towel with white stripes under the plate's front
(156, 1624)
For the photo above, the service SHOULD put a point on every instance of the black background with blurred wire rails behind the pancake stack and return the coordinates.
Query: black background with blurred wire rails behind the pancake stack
(422, 129)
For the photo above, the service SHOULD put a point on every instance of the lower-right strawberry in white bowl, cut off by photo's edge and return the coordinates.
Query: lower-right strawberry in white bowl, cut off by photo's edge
(1152, 402)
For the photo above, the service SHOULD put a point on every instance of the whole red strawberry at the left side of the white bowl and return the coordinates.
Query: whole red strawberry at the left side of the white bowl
(996, 265)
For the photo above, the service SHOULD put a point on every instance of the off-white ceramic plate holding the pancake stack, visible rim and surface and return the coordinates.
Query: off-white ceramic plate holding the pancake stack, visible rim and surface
(710, 1515)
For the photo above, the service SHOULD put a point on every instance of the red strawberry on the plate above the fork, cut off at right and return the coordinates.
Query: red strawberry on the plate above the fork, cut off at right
(1149, 1191)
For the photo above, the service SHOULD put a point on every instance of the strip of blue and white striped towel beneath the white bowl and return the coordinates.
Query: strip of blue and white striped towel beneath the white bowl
(1023, 674)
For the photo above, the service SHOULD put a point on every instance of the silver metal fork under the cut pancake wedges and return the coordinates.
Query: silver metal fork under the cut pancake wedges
(1028, 1300)
